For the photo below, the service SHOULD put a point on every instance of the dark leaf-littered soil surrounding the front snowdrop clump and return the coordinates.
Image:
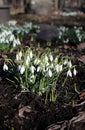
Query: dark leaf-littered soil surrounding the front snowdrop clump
(27, 111)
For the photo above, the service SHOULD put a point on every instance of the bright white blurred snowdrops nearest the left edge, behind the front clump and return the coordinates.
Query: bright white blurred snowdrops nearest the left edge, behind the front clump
(8, 40)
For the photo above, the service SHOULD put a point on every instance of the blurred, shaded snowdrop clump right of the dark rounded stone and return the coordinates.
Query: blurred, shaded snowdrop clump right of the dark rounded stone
(73, 35)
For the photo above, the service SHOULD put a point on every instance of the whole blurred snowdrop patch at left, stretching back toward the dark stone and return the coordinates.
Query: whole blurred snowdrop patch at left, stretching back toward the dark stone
(11, 34)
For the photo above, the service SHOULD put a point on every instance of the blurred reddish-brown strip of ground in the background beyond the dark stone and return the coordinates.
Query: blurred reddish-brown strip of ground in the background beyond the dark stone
(53, 19)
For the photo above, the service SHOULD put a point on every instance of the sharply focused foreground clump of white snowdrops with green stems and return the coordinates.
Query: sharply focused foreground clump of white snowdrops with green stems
(39, 73)
